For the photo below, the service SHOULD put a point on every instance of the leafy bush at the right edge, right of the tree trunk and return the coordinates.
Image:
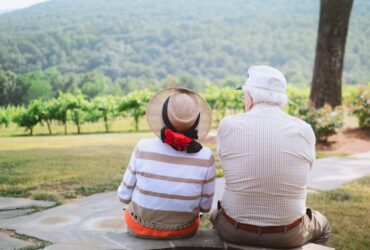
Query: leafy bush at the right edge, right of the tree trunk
(361, 107)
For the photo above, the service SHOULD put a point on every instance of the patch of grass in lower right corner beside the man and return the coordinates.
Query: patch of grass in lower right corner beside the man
(347, 209)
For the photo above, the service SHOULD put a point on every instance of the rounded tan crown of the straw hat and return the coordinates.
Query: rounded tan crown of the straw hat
(182, 110)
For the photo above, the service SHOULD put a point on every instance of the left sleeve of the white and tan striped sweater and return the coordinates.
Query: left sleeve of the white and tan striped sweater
(128, 183)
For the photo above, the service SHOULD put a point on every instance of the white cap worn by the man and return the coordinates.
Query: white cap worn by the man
(266, 77)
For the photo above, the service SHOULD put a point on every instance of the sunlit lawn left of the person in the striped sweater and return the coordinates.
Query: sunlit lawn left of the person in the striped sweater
(59, 168)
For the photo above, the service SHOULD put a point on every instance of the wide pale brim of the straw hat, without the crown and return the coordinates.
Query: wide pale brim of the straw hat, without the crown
(154, 112)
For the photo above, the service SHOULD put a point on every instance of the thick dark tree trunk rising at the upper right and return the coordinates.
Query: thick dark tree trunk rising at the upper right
(326, 84)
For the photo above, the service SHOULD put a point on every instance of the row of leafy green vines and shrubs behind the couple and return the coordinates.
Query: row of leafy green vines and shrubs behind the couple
(80, 111)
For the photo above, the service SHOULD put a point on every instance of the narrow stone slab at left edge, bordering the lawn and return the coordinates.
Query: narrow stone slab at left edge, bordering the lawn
(9, 203)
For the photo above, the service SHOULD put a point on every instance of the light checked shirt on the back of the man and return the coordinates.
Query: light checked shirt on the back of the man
(266, 156)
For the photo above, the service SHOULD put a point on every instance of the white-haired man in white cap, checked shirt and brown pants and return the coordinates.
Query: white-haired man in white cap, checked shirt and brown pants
(266, 156)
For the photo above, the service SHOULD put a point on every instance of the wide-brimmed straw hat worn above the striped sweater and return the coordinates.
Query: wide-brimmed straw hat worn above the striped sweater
(184, 107)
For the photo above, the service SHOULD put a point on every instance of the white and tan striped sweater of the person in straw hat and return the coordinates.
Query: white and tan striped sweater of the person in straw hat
(166, 188)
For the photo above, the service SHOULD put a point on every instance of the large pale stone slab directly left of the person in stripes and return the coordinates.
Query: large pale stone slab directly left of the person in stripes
(87, 219)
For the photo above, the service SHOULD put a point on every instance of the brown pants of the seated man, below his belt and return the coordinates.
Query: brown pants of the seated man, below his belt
(313, 228)
